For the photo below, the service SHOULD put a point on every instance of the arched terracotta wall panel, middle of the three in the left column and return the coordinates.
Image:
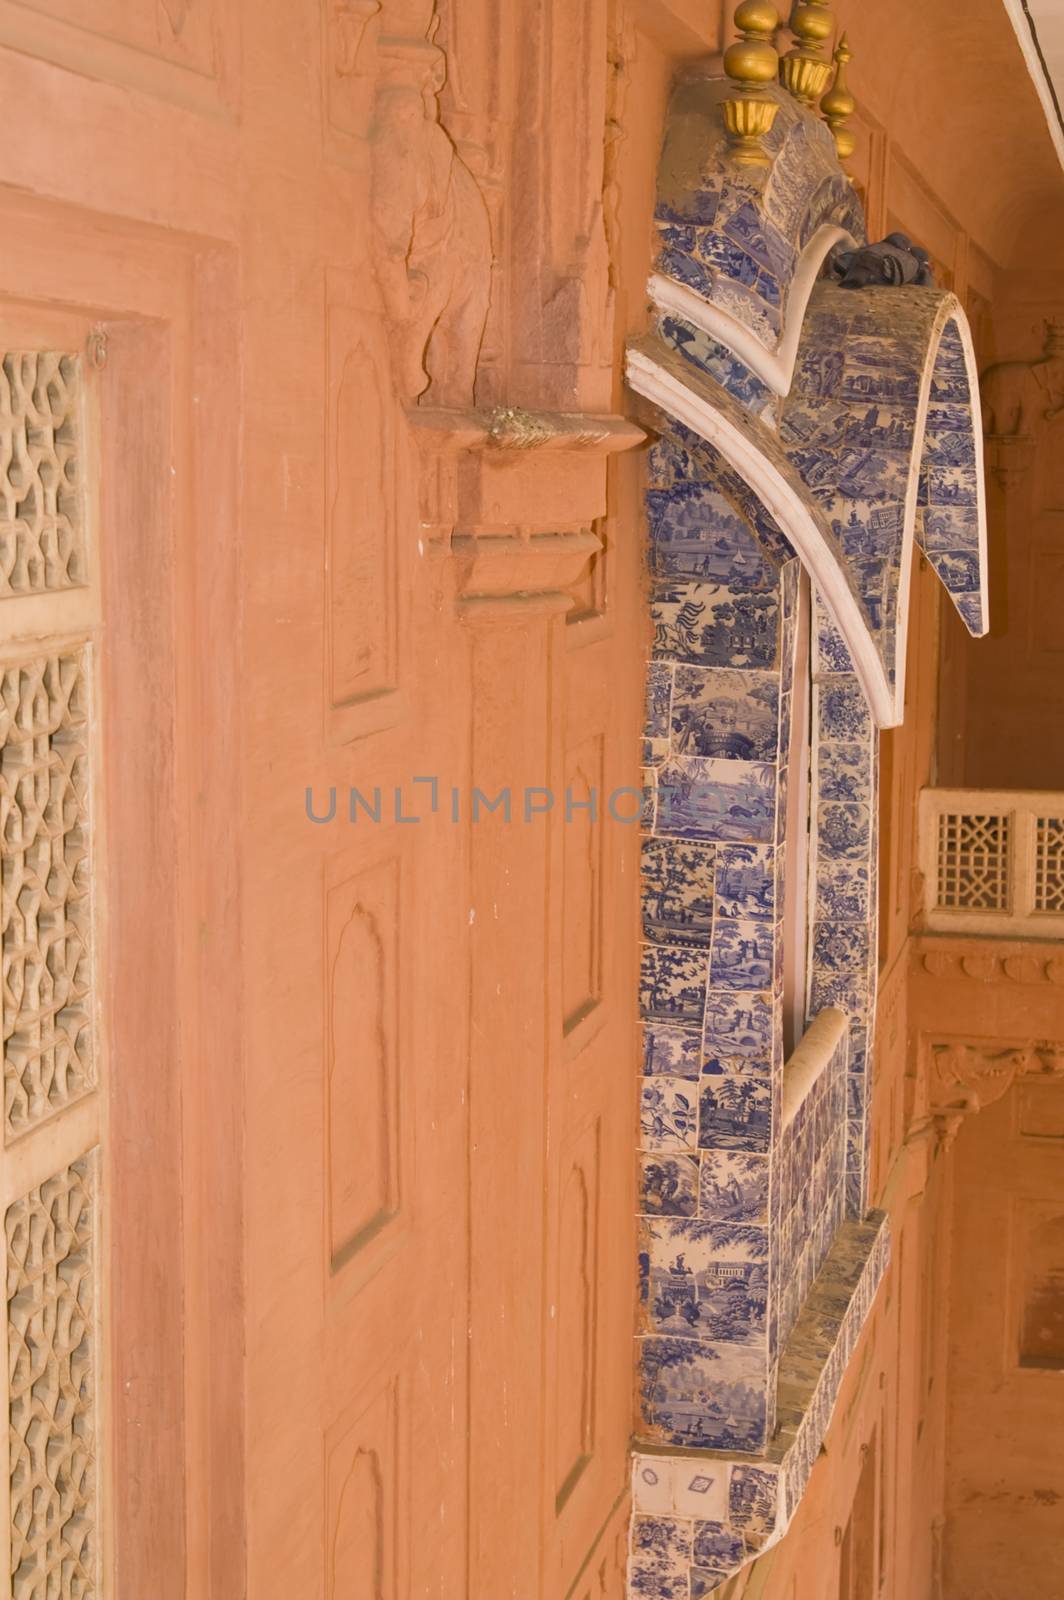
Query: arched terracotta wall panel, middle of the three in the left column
(362, 945)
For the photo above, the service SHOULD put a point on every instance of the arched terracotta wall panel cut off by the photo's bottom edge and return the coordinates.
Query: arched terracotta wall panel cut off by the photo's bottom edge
(366, 1521)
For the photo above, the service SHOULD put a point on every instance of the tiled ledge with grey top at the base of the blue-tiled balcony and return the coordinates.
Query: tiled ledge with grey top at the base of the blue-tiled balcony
(702, 1516)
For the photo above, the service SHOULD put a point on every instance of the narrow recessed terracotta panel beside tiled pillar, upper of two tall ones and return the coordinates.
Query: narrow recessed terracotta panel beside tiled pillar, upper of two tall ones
(583, 836)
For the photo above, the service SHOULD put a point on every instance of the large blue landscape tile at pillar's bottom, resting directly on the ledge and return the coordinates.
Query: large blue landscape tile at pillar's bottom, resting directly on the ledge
(698, 1396)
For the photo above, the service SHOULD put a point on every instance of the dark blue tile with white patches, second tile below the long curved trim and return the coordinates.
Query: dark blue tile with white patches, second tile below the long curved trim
(713, 626)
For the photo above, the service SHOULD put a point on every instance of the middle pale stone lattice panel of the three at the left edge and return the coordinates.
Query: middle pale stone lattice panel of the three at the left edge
(46, 906)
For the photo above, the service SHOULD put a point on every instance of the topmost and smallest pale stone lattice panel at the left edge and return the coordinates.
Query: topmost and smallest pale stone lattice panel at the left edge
(42, 538)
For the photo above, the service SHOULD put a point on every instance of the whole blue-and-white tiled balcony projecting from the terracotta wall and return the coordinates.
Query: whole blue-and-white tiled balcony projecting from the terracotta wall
(804, 433)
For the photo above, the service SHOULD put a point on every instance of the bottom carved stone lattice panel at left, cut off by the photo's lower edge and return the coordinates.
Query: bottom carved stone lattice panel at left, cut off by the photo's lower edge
(52, 1305)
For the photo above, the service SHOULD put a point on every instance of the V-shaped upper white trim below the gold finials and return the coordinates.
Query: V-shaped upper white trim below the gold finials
(774, 369)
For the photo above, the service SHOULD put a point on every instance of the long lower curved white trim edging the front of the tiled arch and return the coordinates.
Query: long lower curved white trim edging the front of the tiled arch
(790, 511)
